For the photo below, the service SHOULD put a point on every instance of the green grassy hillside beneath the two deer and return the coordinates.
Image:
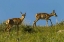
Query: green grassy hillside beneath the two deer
(30, 34)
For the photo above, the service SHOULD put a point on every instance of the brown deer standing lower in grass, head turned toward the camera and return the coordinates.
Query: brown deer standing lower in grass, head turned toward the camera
(14, 21)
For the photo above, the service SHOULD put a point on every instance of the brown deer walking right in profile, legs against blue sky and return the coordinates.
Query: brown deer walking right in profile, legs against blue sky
(44, 16)
